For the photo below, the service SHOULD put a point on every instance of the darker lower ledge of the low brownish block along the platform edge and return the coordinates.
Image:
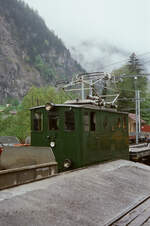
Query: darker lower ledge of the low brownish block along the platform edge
(14, 177)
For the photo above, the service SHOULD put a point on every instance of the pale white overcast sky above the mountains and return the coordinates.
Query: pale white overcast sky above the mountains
(123, 24)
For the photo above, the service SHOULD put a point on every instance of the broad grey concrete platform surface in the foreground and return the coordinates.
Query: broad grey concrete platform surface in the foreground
(91, 196)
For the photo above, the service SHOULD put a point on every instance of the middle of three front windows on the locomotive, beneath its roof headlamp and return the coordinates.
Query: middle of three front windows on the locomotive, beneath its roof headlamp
(53, 120)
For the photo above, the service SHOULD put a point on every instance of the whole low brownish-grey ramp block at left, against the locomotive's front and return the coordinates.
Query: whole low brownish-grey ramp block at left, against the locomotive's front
(19, 165)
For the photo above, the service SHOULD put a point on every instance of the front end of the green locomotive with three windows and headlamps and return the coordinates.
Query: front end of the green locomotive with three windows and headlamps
(56, 127)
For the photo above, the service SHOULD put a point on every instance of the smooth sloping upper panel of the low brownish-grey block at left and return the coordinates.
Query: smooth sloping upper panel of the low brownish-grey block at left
(16, 157)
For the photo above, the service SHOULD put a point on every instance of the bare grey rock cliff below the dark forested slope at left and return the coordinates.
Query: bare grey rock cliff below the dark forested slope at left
(16, 76)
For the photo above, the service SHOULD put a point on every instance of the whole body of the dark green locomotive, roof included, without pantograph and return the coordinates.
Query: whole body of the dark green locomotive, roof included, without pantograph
(80, 134)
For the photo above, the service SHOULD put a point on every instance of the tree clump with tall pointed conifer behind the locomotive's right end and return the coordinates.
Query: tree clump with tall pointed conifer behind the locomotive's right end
(128, 82)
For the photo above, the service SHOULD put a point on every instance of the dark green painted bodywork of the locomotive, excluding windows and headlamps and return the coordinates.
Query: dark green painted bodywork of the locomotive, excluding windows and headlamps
(82, 146)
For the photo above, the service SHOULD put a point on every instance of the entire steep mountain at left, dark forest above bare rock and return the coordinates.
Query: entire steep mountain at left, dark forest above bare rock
(30, 54)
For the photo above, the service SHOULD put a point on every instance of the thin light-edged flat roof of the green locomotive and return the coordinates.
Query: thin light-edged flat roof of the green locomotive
(86, 106)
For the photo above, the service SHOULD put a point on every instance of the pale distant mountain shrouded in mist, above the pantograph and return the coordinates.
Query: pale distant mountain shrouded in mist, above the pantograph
(98, 54)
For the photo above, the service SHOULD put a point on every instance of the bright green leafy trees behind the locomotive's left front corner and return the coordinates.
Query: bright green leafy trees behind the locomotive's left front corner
(19, 124)
